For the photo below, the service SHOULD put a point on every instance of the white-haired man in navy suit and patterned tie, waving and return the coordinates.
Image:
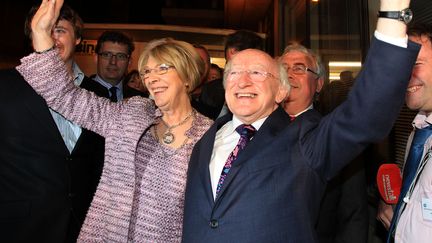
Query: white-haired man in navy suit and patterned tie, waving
(268, 189)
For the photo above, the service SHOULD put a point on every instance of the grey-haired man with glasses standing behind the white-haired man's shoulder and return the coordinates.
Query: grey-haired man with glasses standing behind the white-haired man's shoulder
(343, 214)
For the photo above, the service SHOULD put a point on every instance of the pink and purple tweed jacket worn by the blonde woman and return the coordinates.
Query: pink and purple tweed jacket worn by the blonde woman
(122, 124)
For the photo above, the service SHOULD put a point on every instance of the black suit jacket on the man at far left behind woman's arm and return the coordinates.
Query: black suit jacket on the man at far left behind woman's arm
(45, 191)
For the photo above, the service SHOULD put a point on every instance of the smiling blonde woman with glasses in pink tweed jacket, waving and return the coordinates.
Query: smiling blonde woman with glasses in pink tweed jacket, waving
(140, 196)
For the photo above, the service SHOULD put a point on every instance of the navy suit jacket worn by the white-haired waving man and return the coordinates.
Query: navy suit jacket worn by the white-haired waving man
(273, 191)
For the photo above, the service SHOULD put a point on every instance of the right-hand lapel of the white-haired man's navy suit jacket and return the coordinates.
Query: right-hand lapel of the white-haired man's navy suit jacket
(272, 126)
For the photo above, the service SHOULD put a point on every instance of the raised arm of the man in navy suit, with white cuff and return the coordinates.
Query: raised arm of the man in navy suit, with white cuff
(373, 104)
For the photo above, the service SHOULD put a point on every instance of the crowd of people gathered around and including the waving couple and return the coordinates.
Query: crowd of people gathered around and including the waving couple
(179, 150)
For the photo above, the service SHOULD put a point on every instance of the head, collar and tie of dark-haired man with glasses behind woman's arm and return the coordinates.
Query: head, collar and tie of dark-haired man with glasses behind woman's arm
(114, 50)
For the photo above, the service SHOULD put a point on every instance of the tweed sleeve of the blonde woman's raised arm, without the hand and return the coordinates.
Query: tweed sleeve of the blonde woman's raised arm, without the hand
(48, 76)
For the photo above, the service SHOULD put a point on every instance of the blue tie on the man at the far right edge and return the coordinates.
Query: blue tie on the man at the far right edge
(410, 169)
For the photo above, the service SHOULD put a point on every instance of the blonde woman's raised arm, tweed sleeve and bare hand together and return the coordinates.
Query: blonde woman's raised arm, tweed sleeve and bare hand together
(49, 76)
